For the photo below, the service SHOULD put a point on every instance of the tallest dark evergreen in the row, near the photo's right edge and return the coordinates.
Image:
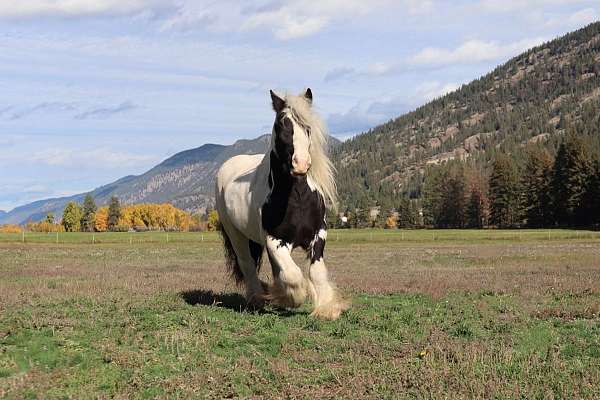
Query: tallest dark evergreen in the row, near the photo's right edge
(571, 175)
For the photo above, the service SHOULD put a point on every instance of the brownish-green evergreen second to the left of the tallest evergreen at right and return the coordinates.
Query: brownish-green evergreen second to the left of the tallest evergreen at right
(505, 207)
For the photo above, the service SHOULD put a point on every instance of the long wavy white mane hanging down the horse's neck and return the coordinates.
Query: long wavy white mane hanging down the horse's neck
(322, 171)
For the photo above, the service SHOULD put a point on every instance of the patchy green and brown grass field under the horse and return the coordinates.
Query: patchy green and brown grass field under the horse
(436, 314)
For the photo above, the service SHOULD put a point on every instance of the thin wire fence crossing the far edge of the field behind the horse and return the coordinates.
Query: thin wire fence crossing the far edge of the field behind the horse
(336, 235)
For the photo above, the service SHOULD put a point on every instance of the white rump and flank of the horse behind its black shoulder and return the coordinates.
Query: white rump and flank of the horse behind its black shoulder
(240, 192)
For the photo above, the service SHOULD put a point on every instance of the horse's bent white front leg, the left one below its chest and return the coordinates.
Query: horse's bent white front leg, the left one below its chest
(288, 288)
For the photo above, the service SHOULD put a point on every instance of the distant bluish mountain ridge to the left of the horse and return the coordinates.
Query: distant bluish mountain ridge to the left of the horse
(186, 180)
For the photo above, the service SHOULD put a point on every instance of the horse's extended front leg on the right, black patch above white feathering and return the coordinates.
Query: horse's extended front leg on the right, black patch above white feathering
(327, 301)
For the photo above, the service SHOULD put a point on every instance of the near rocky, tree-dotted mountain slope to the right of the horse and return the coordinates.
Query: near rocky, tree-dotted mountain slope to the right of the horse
(530, 99)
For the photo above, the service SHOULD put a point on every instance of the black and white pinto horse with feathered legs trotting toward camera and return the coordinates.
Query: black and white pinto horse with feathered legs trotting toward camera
(277, 201)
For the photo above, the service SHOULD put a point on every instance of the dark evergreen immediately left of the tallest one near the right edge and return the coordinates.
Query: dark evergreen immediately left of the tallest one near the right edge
(537, 183)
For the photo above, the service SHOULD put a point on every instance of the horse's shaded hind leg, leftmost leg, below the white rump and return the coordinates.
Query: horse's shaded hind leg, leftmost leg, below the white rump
(248, 255)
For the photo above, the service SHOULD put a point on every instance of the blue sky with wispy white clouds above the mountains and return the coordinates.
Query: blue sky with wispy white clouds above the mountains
(93, 90)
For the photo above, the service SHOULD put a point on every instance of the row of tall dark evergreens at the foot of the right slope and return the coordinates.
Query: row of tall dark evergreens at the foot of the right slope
(538, 190)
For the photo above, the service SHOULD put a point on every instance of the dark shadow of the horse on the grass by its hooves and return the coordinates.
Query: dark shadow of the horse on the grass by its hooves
(231, 301)
